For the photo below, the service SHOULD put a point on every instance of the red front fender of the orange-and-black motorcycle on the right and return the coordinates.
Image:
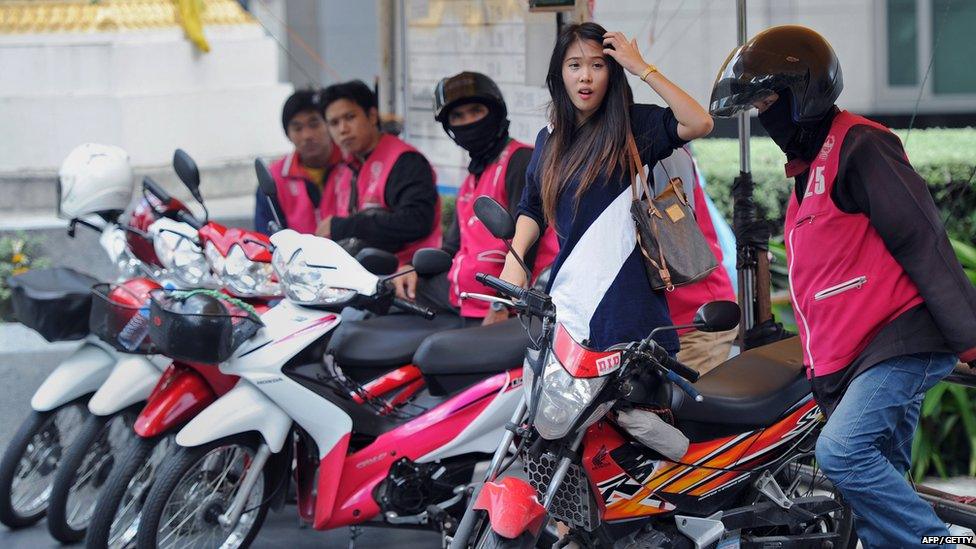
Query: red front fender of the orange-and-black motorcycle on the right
(512, 506)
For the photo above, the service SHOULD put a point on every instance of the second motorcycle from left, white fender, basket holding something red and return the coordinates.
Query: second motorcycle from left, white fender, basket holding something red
(118, 318)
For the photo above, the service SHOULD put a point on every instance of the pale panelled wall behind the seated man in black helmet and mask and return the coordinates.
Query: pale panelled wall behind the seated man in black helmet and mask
(496, 37)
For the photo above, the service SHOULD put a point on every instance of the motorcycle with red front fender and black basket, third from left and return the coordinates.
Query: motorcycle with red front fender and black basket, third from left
(241, 263)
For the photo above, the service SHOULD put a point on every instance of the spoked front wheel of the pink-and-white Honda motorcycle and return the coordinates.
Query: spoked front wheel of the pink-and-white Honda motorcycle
(193, 490)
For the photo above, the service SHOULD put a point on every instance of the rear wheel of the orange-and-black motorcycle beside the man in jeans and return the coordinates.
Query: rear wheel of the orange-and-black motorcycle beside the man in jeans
(800, 477)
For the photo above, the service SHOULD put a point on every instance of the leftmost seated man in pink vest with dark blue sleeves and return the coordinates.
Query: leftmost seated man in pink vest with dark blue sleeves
(300, 174)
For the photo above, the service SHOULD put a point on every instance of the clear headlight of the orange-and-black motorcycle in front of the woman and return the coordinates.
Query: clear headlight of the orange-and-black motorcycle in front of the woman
(563, 399)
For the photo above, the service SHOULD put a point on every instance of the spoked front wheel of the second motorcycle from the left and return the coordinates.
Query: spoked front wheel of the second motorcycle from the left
(83, 472)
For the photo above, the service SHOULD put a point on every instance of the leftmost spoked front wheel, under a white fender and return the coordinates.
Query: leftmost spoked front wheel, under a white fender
(30, 461)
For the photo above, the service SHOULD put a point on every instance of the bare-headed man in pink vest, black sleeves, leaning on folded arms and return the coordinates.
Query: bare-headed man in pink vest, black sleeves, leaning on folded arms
(383, 193)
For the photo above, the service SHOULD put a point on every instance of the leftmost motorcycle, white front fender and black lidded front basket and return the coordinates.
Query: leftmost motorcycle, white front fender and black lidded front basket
(57, 302)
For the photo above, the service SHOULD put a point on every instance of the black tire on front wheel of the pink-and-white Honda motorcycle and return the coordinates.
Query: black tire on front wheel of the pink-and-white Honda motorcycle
(181, 472)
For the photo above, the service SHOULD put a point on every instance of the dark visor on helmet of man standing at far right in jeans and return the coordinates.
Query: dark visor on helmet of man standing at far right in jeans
(748, 76)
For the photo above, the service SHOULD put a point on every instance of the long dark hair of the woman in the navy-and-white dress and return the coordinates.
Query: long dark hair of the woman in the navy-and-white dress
(598, 145)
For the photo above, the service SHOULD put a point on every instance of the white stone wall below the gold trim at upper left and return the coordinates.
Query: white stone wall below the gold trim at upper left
(148, 92)
